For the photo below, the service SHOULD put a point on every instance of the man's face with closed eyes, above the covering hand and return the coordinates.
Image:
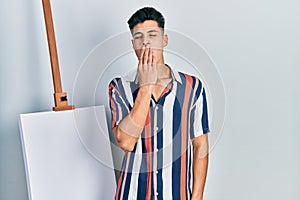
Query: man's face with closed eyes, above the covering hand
(149, 34)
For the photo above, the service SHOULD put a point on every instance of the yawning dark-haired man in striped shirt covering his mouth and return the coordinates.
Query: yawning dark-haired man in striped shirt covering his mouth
(160, 120)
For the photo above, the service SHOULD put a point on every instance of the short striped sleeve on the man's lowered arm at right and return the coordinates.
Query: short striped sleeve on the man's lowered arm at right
(199, 123)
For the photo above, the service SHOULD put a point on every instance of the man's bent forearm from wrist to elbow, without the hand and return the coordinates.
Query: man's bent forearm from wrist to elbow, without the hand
(135, 120)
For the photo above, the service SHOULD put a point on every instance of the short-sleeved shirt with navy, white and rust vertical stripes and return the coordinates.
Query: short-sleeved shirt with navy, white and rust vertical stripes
(160, 166)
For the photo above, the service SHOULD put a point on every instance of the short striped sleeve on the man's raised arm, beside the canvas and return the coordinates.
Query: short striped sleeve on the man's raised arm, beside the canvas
(117, 101)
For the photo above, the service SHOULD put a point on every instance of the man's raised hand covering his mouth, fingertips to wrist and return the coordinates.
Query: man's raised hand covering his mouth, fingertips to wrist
(147, 72)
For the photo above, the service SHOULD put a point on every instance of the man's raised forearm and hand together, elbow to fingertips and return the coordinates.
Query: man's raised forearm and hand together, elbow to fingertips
(130, 128)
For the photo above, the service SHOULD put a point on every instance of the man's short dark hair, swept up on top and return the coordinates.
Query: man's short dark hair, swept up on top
(146, 13)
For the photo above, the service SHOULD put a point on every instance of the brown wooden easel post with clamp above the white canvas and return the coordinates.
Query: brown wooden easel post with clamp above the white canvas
(60, 98)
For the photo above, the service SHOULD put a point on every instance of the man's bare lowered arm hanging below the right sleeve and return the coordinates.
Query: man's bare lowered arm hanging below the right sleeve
(200, 165)
